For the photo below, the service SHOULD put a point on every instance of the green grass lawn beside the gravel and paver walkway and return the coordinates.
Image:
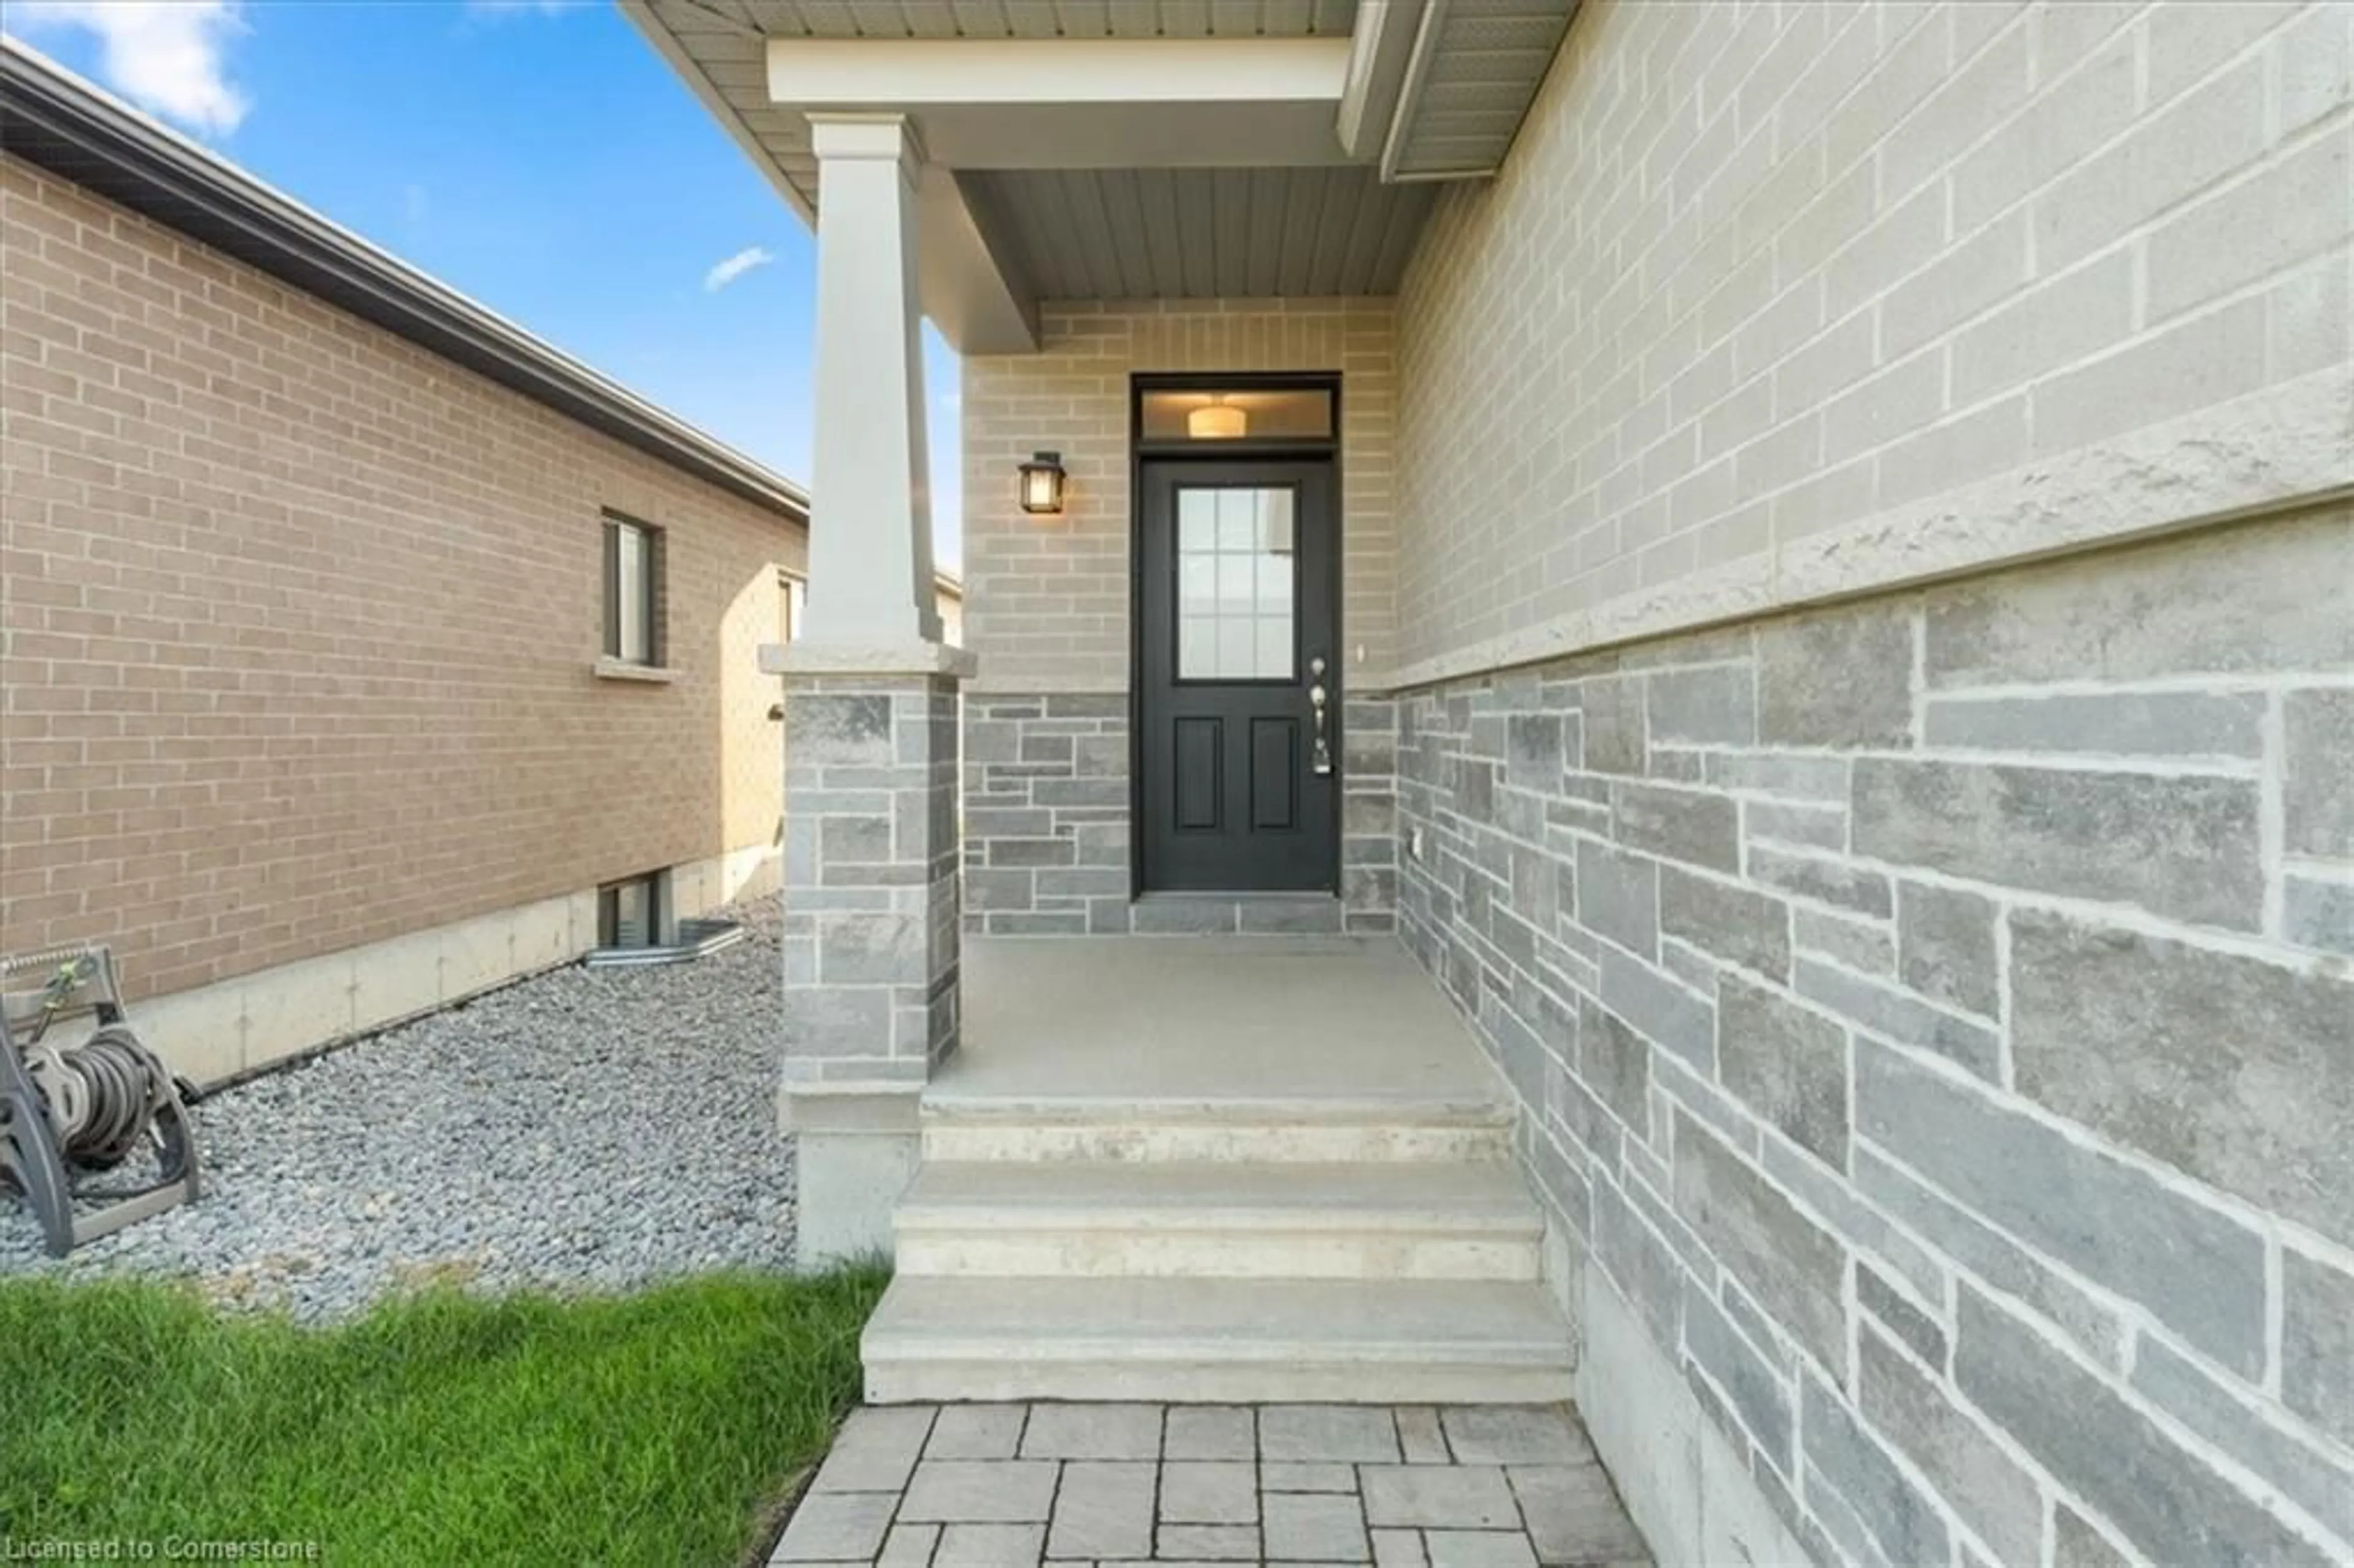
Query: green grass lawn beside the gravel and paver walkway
(437, 1430)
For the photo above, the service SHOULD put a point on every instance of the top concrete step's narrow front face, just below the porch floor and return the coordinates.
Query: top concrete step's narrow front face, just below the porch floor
(969, 1129)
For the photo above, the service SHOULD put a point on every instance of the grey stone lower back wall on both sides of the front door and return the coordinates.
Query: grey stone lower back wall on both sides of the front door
(1049, 816)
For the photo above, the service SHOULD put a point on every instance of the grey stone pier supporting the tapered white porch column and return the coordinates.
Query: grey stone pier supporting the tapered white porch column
(870, 879)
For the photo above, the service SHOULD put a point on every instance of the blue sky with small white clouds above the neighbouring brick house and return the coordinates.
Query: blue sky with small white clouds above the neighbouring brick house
(533, 154)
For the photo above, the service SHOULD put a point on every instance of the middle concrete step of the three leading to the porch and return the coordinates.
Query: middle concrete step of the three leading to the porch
(1239, 1221)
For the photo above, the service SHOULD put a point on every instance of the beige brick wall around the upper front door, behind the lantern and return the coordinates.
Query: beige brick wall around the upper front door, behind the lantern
(1046, 599)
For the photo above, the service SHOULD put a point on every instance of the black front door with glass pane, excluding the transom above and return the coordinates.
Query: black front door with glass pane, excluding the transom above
(1237, 613)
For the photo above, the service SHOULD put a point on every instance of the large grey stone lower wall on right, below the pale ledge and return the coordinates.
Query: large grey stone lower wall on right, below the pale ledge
(1934, 1016)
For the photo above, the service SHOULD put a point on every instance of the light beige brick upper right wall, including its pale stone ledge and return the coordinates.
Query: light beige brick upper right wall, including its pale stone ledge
(1795, 300)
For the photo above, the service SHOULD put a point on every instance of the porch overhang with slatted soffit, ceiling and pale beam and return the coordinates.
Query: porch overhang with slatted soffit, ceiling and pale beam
(1256, 147)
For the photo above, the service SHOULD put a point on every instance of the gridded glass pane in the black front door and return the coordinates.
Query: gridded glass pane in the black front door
(1237, 583)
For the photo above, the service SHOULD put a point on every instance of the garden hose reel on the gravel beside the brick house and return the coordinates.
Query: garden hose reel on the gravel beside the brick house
(84, 1108)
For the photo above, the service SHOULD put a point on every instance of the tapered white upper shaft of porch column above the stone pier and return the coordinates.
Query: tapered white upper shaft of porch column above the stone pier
(870, 481)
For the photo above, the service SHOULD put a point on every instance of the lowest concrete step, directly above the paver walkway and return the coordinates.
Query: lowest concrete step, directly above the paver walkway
(1216, 1341)
